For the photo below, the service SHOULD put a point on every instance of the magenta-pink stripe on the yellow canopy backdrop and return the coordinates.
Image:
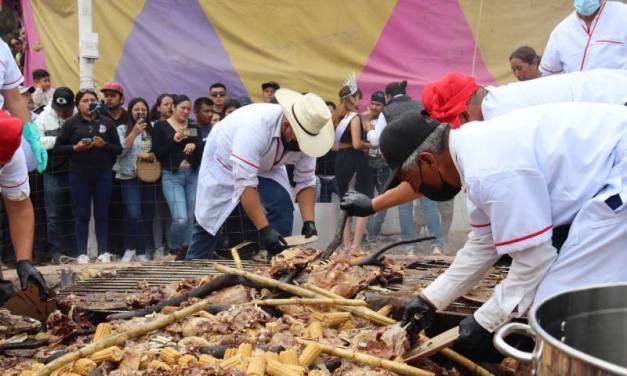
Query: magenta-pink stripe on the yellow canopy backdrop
(410, 47)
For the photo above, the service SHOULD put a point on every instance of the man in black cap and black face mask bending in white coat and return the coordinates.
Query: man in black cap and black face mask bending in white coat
(521, 184)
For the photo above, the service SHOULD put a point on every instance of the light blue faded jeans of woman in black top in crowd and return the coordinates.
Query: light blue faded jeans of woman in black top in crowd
(179, 189)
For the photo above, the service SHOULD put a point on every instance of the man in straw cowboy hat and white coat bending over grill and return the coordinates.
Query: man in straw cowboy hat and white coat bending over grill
(244, 162)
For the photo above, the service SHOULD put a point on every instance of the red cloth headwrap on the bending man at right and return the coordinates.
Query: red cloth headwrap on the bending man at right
(445, 99)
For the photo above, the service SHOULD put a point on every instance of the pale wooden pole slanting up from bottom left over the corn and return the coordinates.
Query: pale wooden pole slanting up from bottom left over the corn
(121, 338)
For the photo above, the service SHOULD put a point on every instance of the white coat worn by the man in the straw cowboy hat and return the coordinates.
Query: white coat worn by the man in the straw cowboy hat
(243, 146)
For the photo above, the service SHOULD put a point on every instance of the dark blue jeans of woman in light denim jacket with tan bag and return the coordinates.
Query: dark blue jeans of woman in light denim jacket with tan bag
(138, 199)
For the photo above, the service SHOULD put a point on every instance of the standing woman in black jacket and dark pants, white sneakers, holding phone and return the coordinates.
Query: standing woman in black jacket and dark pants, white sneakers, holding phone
(91, 141)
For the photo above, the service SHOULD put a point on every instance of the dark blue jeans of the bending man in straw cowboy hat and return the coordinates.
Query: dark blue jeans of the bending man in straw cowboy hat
(279, 212)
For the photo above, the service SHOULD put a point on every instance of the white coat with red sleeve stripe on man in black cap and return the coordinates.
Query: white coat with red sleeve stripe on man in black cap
(525, 173)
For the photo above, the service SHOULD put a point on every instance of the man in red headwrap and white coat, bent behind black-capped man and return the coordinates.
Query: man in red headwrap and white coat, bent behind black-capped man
(457, 99)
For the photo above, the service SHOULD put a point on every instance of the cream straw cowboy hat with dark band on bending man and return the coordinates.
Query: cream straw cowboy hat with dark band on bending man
(310, 119)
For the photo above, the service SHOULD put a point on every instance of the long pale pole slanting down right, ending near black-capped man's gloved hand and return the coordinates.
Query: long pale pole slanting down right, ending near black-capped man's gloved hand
(306, 293)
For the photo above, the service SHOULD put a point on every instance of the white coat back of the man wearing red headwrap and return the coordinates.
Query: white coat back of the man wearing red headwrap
(599, 86)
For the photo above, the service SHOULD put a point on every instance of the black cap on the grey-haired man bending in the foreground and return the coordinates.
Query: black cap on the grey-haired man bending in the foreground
(401, 138)
